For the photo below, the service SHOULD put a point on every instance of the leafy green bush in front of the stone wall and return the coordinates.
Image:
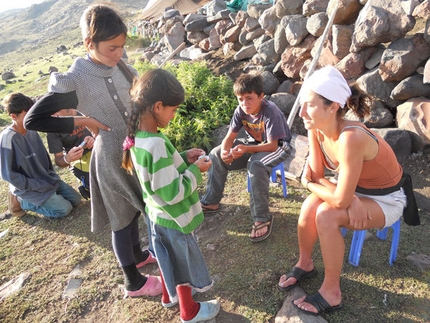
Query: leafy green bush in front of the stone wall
(209, 104)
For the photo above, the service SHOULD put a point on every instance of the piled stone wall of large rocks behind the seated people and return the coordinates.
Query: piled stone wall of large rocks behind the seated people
(383, 45)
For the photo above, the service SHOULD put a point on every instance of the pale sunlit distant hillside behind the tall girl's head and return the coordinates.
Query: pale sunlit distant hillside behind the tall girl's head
(37, 31)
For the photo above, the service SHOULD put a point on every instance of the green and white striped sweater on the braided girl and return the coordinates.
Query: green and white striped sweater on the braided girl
(169, 184)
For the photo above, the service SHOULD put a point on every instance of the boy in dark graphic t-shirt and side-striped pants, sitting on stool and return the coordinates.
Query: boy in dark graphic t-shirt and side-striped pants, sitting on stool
(267, 145)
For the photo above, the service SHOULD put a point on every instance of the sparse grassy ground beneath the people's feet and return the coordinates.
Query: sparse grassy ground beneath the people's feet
(245, 274)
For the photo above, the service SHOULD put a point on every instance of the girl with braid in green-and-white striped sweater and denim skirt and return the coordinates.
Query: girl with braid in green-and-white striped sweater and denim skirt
(169, 181)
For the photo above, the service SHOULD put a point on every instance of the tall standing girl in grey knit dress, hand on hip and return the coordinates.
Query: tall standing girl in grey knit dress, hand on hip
(102, 92)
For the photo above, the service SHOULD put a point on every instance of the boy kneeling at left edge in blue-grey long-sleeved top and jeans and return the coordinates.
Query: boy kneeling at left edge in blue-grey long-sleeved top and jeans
(26, 166)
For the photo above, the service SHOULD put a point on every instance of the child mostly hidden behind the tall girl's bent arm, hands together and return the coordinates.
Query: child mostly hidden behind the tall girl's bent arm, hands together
(71, 150)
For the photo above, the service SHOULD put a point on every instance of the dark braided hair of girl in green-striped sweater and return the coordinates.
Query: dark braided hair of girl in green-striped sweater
(153, 86)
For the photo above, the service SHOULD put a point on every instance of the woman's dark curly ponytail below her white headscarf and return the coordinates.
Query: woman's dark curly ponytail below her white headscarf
(359, 102)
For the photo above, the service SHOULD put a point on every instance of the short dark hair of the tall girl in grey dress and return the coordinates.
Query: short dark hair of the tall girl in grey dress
(100, 23)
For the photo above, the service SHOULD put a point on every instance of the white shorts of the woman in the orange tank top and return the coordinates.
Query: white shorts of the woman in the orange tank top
(391, 204)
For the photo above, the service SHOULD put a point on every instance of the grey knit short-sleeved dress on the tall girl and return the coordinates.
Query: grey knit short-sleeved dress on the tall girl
(116, 196)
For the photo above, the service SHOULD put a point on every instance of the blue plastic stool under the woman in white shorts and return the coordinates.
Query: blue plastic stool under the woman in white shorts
(358, 240)
